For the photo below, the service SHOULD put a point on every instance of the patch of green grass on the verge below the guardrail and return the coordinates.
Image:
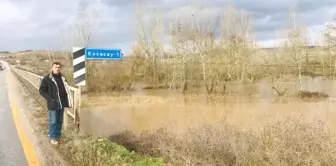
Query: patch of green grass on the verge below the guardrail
(86, 150)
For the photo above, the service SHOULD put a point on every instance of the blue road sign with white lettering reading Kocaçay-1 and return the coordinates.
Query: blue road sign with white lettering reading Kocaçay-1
(103, 54)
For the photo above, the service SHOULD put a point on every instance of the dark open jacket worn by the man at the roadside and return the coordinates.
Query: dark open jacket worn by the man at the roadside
(49, 91)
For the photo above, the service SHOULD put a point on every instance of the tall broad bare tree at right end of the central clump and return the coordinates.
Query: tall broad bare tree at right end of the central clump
(236, 27)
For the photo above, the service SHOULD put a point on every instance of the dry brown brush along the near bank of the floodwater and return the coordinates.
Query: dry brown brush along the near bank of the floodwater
(291, 141)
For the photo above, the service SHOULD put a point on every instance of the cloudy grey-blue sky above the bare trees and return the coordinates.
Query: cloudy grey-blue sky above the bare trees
(37, 24)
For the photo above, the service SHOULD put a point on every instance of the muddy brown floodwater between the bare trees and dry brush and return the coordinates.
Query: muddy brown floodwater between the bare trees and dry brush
(151, 109)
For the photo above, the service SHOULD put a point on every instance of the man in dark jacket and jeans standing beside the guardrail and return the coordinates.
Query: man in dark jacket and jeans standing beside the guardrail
(54, 89)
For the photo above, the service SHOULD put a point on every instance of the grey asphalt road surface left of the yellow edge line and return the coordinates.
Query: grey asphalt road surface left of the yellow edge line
(11, 150)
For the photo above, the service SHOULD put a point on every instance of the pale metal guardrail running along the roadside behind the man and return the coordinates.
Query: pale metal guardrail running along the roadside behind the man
(35, 81)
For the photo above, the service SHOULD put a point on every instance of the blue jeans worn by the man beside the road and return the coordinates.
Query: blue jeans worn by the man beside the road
(55, 123)
